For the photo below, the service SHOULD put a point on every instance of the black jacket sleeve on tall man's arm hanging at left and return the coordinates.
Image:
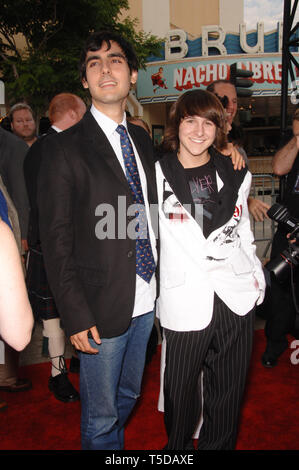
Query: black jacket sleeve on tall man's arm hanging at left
(55, 197)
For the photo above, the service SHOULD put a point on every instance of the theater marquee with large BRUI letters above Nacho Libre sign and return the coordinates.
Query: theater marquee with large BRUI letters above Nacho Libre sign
(187, 64)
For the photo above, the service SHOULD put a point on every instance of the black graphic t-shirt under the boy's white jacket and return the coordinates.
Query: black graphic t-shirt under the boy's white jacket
(203, 187)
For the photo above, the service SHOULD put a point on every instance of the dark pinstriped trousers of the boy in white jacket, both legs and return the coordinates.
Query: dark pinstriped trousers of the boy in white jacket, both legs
(222, 351)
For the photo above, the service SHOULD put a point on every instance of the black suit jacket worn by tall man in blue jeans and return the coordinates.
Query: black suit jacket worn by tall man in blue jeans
(92, 280)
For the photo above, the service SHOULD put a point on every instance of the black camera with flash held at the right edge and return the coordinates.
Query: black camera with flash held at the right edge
(289, 258)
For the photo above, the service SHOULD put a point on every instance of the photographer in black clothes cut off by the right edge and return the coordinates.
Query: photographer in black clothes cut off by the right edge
(281, 304)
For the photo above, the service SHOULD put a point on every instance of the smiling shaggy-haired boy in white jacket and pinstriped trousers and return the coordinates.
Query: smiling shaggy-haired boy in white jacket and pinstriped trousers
(210, 276)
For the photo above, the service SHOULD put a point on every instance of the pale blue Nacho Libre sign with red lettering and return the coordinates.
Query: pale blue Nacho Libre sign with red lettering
(164, 81)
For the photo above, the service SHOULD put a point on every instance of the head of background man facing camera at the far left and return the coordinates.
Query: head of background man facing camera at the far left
(23, 123)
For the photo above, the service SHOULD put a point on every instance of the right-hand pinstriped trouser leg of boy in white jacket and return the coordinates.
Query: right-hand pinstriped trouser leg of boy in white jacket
(224, 377)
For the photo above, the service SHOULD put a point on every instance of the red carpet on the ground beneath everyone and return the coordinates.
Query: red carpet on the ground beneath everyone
(35, 420)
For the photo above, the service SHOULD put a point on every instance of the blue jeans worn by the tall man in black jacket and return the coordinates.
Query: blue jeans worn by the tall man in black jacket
(110, 383)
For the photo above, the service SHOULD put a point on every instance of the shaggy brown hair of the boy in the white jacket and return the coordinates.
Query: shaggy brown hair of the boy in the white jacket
(195, 103)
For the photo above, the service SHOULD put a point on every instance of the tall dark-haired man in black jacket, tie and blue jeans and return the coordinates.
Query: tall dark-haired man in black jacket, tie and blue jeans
(85, 208)
